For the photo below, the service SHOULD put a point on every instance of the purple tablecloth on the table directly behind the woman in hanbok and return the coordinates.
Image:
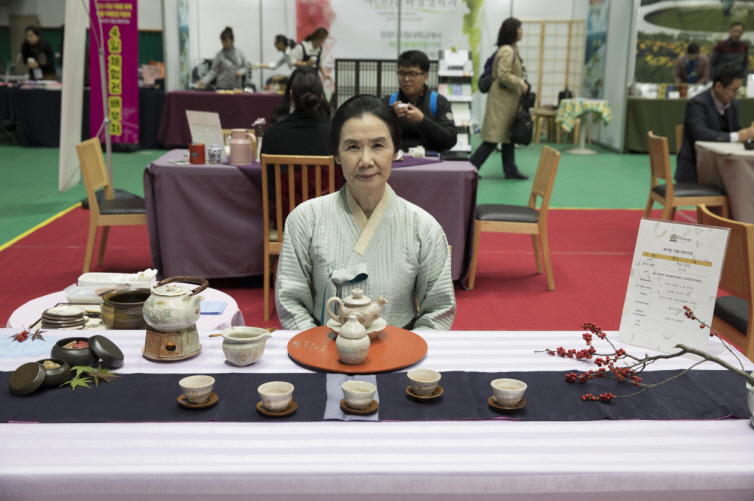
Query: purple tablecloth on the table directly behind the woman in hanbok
(206, 220)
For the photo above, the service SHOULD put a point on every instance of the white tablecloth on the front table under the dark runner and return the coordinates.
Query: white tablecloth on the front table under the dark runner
(502, 459)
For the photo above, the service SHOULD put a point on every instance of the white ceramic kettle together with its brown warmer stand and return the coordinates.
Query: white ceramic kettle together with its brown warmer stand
(171, 313)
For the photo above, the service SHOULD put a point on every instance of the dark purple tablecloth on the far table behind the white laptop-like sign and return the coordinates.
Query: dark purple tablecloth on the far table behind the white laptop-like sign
(236, 111)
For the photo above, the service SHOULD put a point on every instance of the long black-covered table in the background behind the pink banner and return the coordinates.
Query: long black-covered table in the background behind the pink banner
(36, 115)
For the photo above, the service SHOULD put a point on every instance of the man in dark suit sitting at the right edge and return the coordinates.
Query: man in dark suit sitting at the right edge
(711, 116)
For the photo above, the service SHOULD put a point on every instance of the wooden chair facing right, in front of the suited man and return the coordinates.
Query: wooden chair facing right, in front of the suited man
(671, 195)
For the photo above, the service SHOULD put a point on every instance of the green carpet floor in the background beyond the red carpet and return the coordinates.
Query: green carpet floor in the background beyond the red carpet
(29, 194)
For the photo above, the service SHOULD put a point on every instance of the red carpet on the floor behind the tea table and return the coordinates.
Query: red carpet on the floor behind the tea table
(591, 255)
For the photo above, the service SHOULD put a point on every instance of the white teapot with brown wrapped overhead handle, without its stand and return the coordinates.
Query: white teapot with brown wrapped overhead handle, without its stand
(172, 308)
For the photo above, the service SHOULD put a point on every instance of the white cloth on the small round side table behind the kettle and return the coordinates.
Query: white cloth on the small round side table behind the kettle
(32, 311)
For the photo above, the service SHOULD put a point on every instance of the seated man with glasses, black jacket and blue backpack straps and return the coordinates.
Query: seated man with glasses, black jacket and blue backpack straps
(426, 117)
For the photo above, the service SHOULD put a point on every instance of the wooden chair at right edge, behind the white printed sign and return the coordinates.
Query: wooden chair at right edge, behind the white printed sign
(733, 314)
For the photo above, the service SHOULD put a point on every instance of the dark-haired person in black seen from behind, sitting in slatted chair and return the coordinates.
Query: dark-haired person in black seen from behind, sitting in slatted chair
(302, 132)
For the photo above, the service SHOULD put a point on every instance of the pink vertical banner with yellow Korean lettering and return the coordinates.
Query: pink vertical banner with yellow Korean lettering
(120, 33)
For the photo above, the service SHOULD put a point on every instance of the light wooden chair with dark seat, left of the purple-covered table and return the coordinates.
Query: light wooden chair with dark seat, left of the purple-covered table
(110, 212)
